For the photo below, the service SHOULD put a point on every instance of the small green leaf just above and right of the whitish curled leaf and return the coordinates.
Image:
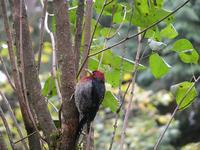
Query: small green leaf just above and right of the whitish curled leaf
(169, 32)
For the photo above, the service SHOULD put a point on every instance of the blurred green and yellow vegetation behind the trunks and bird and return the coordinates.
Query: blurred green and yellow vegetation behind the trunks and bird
(168, 67)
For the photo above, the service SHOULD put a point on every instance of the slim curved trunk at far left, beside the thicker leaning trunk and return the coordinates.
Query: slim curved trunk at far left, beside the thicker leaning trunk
(23, 107)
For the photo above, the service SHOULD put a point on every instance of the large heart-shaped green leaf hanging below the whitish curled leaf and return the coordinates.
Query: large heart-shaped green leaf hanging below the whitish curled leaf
(158, 66)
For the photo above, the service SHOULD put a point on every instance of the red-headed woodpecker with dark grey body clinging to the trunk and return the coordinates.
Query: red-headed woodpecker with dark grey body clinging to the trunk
(89, 94)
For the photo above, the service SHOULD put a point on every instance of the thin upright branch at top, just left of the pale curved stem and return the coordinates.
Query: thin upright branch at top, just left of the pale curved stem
(42, 33)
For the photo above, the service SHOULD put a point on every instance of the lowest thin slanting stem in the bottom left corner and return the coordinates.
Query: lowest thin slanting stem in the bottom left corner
(8, 131)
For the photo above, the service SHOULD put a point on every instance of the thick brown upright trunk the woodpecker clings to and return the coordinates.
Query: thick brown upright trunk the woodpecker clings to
(66, 61)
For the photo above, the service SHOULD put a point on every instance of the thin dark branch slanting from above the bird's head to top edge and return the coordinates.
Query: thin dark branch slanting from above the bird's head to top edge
(90, 43)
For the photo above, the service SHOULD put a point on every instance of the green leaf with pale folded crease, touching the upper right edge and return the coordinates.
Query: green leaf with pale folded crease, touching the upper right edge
(186, 51)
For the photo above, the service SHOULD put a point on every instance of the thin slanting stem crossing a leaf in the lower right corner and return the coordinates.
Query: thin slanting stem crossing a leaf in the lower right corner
(173, 114)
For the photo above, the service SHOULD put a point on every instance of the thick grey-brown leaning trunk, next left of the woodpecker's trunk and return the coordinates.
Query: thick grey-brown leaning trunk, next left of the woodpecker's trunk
(32, 83)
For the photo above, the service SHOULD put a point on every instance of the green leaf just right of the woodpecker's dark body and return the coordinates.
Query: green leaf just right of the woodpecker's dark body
(110, 101)
